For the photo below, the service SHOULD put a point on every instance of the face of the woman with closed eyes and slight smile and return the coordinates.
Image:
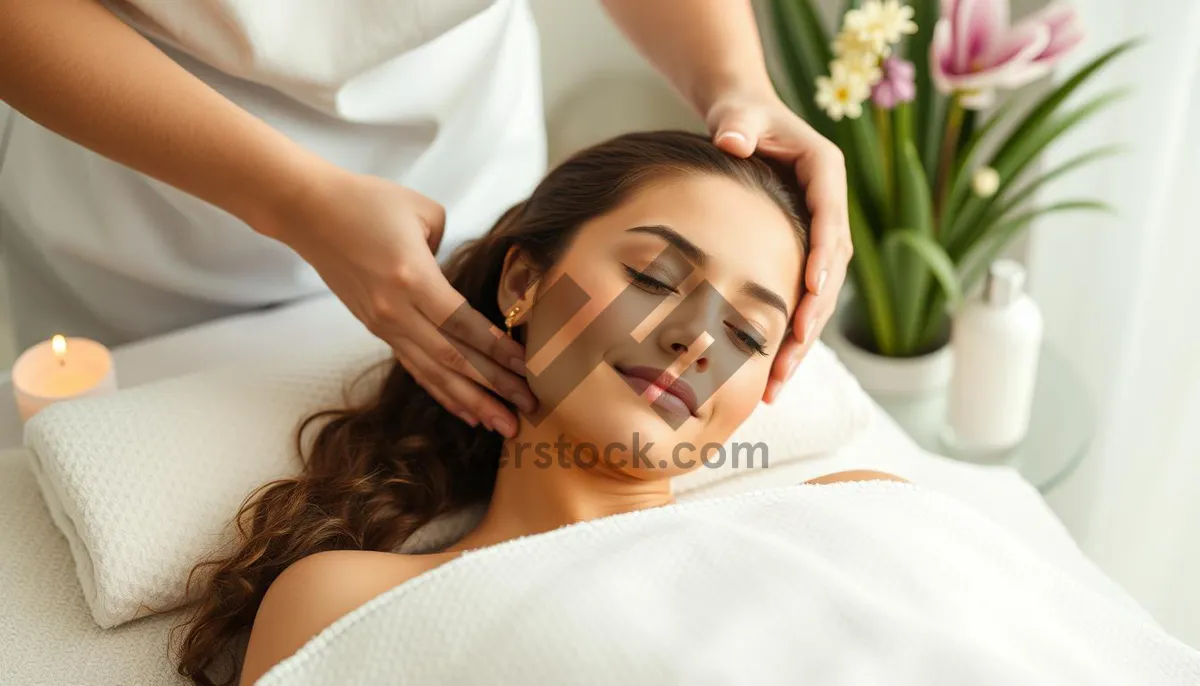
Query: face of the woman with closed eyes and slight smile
(661, 322)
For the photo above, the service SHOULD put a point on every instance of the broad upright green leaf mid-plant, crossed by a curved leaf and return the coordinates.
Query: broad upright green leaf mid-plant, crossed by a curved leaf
(915, 210)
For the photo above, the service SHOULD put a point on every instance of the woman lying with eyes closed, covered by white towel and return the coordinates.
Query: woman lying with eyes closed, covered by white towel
(652, 280)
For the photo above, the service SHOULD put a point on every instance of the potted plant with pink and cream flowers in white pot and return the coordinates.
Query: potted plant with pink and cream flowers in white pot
(940, 182)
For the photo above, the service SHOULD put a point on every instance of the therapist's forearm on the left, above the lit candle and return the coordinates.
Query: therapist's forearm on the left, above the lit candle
(80, 71)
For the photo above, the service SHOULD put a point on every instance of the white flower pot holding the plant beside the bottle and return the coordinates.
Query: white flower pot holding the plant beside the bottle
(892, 377)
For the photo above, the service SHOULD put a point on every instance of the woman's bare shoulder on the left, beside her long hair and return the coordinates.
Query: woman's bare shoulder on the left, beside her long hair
(315, 593)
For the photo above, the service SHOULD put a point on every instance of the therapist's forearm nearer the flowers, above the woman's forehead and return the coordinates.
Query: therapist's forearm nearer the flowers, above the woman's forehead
(709, 50)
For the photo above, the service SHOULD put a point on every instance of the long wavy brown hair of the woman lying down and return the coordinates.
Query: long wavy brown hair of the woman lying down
(379, 472)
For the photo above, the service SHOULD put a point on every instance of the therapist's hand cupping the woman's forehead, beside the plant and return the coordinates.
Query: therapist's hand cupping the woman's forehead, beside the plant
(743, 124)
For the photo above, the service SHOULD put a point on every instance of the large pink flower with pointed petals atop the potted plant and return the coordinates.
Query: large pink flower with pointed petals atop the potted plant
(975, 51)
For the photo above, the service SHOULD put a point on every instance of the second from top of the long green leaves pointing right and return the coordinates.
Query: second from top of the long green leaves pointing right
(1010, 163)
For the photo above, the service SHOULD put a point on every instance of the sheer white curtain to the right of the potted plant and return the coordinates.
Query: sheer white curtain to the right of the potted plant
(1121, 294)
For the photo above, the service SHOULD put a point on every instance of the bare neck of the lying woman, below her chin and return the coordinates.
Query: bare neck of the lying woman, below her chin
(542, 488)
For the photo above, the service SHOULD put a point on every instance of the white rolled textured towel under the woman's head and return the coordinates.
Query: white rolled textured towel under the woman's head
(146, 483)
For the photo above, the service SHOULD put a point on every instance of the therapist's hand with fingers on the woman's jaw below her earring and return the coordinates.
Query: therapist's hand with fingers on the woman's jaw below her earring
(374, 244)
